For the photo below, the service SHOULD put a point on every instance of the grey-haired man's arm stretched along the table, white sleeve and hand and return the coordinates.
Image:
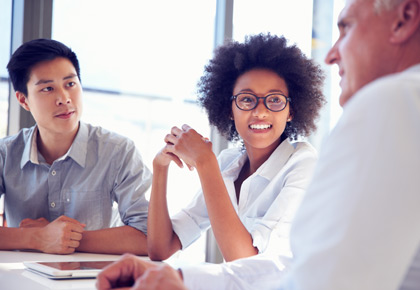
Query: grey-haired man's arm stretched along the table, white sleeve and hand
(259, 272)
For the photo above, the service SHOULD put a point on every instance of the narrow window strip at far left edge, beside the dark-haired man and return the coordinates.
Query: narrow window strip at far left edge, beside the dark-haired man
(5, 28)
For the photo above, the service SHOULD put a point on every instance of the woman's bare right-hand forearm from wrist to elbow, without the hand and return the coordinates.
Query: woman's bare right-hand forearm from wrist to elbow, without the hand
(232, 237)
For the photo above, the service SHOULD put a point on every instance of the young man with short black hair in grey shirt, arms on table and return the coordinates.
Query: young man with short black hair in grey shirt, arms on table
(61, 177)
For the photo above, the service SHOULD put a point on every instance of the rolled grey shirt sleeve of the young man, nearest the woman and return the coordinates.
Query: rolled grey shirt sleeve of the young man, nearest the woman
(133, 180)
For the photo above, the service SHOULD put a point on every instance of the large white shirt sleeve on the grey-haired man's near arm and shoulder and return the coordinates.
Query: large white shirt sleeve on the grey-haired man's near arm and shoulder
(357, 227)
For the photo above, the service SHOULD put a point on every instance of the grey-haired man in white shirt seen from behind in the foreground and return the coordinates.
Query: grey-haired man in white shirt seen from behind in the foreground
(357, 227)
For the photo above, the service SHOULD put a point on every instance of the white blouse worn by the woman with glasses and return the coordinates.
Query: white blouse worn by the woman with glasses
(268, 198)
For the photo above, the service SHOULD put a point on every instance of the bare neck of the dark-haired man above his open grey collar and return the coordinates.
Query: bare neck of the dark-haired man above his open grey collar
(53, 146)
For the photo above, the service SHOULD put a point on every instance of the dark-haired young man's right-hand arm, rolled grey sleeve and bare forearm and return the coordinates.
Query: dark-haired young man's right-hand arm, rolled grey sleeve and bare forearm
(131, 181)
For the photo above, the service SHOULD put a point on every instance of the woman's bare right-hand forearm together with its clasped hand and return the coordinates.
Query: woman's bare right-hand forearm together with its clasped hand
(232, 237)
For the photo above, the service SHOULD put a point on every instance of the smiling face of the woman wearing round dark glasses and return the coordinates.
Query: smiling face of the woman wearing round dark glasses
(260, 128)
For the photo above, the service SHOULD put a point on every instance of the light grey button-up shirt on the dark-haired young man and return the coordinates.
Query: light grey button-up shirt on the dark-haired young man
(99, 169)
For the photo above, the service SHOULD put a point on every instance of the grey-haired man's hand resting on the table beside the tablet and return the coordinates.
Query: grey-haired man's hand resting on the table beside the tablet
(130, 271)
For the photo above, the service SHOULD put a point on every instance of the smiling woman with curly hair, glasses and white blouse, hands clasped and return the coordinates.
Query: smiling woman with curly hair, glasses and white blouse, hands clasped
(265, 94)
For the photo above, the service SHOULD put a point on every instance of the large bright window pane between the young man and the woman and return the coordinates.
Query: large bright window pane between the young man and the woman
(140, 62)
